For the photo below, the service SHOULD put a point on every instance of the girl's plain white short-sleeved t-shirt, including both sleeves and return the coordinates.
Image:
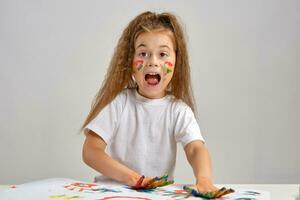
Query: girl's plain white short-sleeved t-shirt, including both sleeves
(142, 133)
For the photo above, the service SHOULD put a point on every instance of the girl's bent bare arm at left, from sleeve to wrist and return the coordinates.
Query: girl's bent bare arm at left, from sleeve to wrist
(94, 155)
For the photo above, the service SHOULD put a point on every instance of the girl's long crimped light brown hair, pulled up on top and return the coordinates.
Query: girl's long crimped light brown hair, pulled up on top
(119, 71)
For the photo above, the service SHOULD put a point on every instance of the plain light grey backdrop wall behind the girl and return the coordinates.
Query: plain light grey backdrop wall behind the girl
(245, 67)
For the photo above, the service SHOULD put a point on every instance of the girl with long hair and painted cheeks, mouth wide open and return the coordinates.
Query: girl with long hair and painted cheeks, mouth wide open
(145, 107)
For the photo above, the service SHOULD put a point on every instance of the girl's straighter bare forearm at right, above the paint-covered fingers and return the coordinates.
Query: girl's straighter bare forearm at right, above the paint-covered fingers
(198, 157)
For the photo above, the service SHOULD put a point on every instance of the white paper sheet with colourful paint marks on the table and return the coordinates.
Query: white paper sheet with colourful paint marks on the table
(69, 189)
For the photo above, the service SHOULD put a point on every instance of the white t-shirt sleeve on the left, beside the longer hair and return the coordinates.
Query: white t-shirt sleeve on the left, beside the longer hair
(105, 123)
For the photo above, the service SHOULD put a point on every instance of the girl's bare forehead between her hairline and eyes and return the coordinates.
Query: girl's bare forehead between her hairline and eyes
(155, 39)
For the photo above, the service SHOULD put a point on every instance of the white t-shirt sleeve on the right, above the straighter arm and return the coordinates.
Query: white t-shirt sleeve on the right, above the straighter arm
(186, 127)
